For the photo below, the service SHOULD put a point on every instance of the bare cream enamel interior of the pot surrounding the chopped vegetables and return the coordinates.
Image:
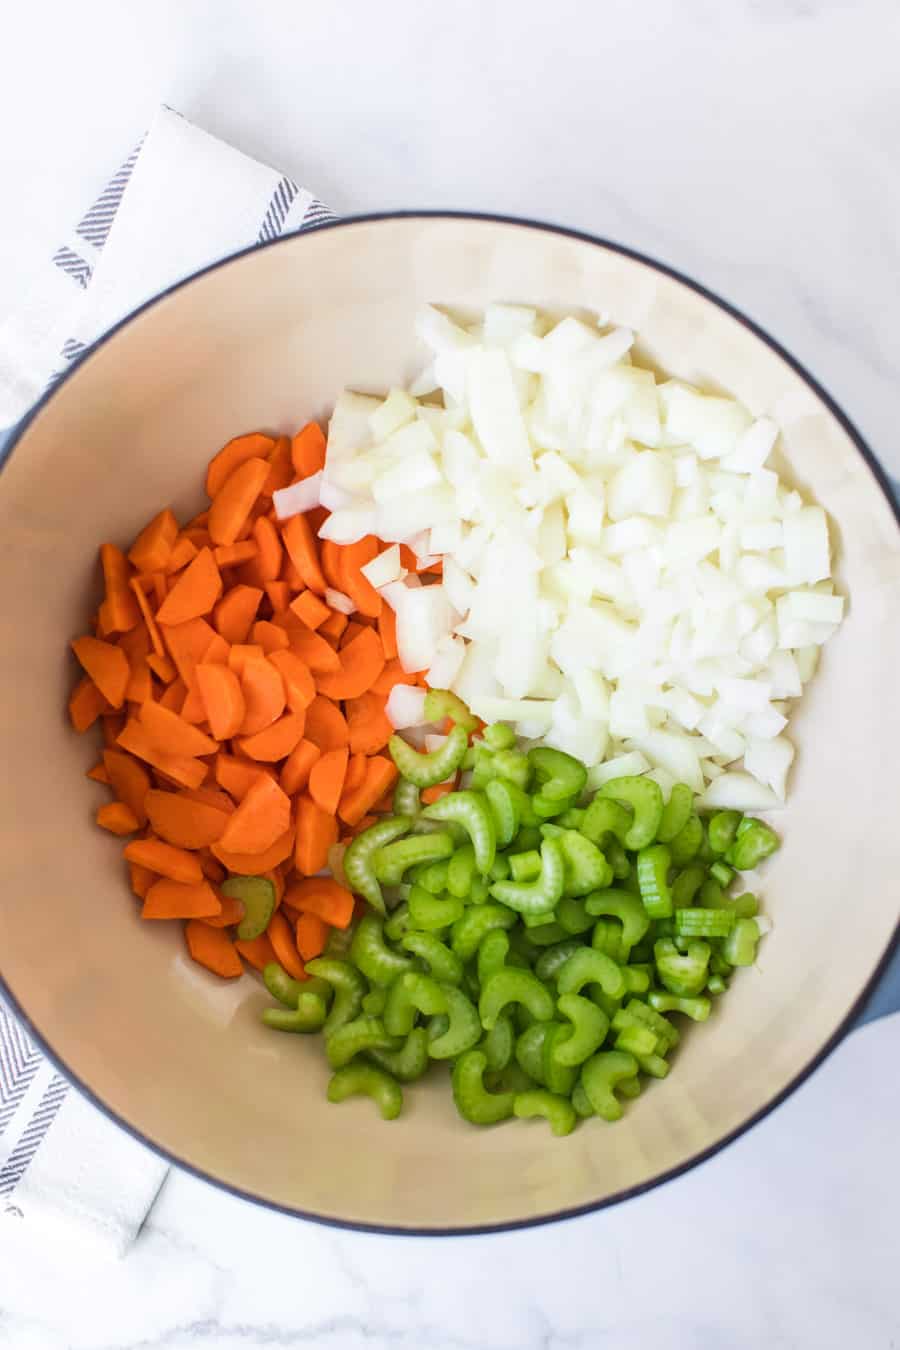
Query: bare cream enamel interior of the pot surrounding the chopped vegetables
(269, 340)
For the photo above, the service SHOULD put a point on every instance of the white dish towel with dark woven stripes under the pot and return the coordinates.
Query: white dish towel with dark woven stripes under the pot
(181, 200)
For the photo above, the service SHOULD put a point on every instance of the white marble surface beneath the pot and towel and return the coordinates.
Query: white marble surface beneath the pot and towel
(748, 142)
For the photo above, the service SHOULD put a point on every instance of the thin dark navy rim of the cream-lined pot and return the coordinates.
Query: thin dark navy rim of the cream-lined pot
(894, 943)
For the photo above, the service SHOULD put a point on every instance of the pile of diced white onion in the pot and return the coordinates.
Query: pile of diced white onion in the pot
(625, 577)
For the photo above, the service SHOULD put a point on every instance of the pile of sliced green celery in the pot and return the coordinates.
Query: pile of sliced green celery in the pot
(530, 936)
